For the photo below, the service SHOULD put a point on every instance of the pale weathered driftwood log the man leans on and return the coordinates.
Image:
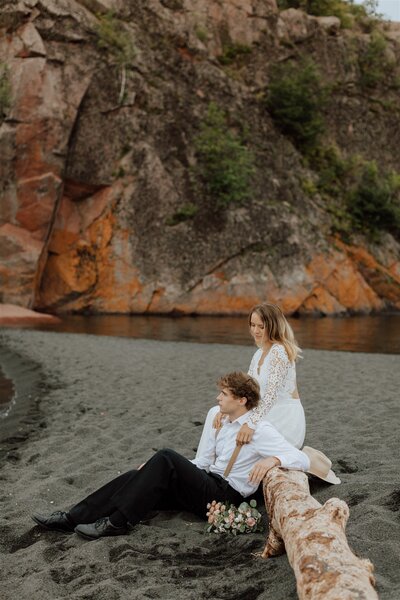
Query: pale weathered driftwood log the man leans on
(314, 539)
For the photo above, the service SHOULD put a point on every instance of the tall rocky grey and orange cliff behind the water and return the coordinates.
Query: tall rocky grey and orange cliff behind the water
(97, 161)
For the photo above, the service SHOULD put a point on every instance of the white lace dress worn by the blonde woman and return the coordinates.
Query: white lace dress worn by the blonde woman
(280, 403)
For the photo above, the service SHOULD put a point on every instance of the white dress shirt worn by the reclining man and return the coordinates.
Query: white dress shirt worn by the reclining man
(266, 441)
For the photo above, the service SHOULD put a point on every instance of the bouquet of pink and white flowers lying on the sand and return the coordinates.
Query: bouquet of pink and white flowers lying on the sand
(226, 518)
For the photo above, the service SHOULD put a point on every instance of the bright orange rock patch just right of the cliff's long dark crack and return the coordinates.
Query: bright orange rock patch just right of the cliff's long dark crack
(87, 267)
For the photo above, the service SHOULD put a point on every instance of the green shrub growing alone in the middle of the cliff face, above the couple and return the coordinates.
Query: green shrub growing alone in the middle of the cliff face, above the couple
(225, 165)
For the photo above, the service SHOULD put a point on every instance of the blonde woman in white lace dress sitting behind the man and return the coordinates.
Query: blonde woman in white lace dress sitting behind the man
(273, 366)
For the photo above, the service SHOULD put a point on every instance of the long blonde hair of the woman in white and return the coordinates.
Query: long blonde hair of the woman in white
(277, 329)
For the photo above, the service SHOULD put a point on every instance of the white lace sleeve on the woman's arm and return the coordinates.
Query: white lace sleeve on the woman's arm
(277, 371)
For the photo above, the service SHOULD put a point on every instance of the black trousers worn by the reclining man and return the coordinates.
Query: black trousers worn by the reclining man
(168, 481)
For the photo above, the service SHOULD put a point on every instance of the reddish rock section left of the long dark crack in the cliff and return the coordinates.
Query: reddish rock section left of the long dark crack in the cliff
(32, 144)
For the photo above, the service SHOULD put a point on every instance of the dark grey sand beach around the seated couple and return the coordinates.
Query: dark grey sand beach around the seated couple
(90, 407)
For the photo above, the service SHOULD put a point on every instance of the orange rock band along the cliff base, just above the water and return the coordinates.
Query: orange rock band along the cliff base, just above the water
(90, 273)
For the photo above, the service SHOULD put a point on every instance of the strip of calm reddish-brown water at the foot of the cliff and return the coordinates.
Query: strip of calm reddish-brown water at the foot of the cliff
(359, 334)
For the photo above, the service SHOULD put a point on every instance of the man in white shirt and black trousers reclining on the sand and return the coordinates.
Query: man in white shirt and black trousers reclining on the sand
(168, 481)
